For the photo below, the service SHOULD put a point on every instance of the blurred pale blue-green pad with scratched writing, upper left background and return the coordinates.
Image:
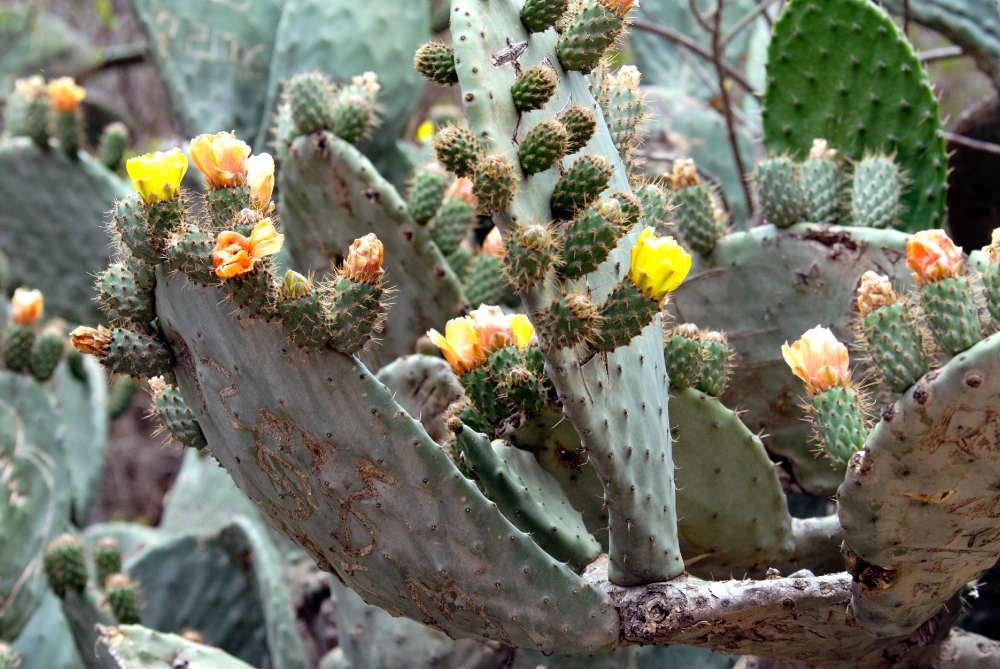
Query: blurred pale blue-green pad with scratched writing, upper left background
(214, 60)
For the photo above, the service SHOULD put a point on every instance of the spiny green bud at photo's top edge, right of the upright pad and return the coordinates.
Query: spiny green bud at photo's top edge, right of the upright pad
(593, 27)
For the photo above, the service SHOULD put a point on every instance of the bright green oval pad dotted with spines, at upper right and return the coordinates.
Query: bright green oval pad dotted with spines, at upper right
(842, 70)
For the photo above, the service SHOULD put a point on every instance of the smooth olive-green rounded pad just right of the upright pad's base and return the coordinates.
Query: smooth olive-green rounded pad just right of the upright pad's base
(728, 493)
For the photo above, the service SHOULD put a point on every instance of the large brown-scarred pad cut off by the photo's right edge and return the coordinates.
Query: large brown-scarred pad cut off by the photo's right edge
(917, 503)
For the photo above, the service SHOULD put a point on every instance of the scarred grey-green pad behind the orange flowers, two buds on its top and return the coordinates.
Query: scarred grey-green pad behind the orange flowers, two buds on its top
(330, 196)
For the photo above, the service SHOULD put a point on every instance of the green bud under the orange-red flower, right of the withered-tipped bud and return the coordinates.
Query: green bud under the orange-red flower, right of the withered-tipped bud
(952, 315)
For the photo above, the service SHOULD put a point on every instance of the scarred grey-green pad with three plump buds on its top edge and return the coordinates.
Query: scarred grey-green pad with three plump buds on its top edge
(774, 286)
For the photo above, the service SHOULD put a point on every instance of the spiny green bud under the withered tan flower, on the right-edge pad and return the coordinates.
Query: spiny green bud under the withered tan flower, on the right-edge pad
(895, 345)
